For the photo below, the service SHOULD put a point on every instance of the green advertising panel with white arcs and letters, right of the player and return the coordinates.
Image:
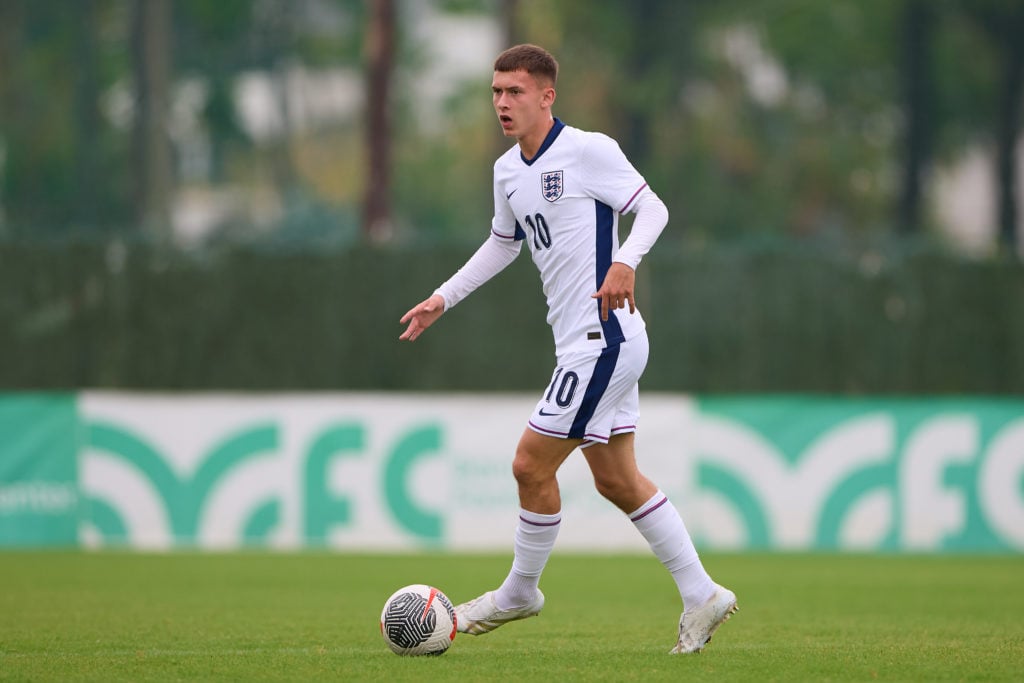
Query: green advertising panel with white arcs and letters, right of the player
(942, 475)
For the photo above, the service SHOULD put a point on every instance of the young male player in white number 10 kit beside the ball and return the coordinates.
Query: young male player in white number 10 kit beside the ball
(562, 190)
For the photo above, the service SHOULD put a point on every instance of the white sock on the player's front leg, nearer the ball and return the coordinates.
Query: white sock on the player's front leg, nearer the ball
(535, 538)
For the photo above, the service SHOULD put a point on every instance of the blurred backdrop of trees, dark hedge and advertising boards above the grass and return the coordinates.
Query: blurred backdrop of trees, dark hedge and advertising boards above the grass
(214, 215)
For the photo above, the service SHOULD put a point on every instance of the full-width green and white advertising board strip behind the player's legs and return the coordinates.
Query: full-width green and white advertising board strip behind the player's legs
(759, 473)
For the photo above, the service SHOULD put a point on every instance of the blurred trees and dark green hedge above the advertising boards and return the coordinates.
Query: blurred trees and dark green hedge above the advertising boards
(248, 194)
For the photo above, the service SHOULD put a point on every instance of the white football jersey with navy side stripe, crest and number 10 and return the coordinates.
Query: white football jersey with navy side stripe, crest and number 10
(566, 204)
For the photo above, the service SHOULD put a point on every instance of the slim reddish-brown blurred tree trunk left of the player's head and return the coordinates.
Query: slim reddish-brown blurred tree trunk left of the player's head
(380, 48)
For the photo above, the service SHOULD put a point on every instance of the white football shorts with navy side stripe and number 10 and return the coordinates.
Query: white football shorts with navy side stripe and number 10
(594, 397)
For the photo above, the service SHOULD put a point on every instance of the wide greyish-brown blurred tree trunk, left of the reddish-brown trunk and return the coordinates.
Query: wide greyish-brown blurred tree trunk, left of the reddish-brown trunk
(151, 48)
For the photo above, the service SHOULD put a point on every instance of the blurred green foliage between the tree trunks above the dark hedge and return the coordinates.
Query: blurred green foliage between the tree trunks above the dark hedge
(750, 118)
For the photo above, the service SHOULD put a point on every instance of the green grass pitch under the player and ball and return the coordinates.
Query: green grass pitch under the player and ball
(314, 617)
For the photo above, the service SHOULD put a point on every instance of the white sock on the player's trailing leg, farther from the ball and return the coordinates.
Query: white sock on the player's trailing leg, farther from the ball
(661, 525)
